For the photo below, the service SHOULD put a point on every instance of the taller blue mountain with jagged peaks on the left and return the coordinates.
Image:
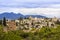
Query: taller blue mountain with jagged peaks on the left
(10, 15)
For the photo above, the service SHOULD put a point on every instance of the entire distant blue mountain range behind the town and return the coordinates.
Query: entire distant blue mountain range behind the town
(12, 15)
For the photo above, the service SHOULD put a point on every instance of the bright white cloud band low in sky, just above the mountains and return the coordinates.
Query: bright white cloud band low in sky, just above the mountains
(49, 12)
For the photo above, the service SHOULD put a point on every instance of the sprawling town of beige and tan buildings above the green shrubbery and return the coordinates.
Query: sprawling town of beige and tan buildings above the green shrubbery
(29, 23)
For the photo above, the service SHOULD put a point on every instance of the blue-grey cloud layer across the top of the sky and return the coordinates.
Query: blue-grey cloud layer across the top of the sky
(29, 3)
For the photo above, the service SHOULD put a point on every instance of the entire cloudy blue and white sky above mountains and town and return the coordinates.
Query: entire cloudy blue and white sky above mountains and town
(48, 8)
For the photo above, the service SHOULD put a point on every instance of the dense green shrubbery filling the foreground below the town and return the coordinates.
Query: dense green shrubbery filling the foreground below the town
(44, 33)
